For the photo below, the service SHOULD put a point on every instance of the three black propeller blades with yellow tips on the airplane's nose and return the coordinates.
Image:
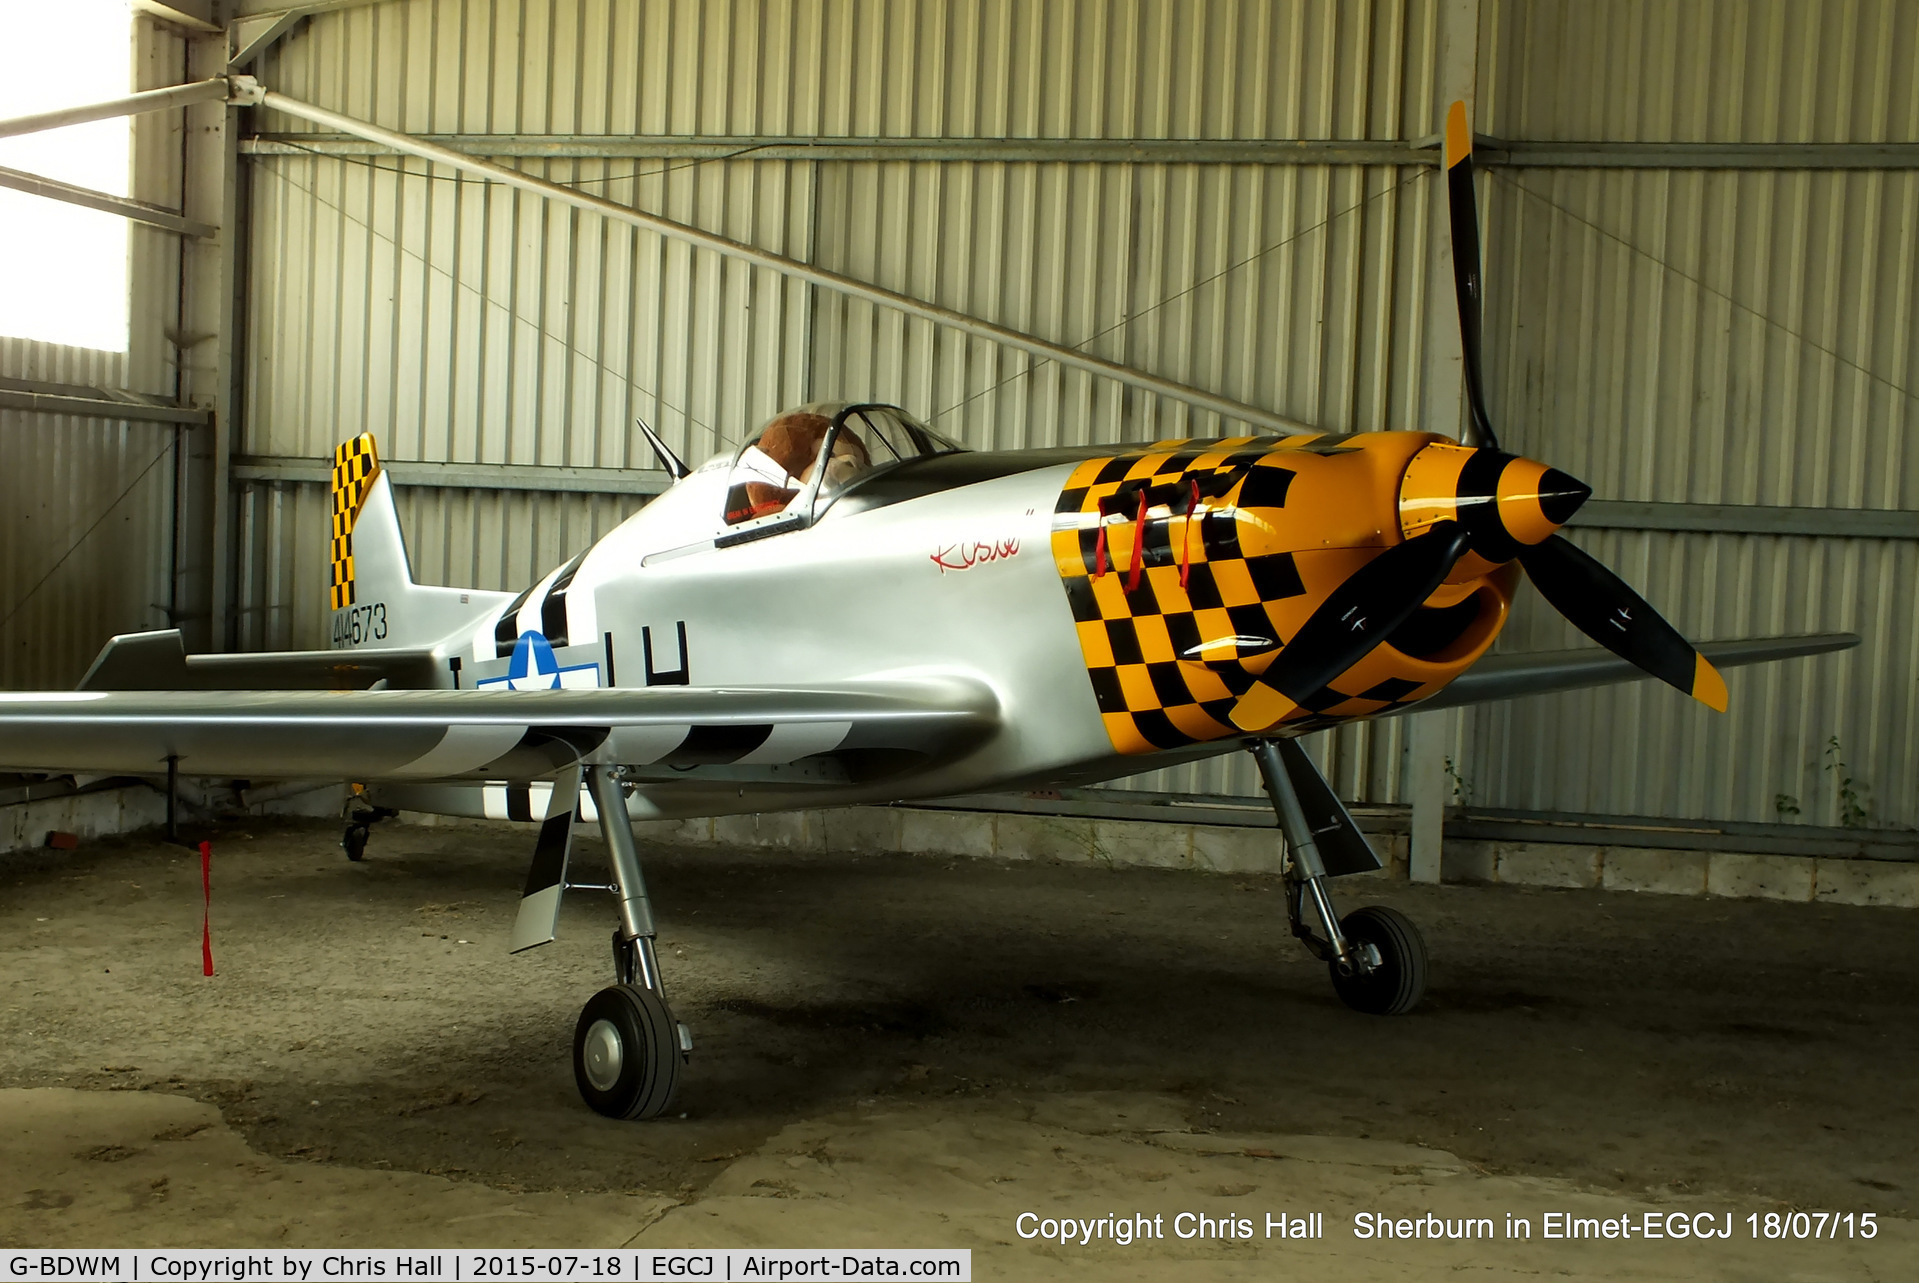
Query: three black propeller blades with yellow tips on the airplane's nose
(1363, 611)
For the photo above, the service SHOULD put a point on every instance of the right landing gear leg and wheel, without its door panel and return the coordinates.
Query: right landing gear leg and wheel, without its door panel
(1377, 956)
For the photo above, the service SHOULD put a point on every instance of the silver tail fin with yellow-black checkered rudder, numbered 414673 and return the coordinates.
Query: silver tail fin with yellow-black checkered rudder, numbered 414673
(373, 595)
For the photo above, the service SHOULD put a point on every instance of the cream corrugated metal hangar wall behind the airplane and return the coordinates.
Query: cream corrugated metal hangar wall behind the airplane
(1703, 225)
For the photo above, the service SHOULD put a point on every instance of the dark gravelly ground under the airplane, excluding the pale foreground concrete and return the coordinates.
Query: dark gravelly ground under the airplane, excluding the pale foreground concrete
(369, 1017)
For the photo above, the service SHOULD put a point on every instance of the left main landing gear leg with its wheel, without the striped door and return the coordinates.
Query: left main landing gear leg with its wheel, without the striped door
(628, 1046)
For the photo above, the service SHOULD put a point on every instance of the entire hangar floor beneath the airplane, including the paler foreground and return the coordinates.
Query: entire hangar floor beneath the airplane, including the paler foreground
(909, 1052)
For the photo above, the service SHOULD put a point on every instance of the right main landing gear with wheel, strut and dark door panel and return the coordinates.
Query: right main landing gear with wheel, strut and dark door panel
(1377, 956)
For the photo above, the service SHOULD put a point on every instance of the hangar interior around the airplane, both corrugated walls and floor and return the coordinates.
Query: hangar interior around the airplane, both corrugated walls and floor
(1701, 250)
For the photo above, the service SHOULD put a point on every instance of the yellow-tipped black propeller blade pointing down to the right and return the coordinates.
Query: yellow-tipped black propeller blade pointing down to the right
(1599, 605)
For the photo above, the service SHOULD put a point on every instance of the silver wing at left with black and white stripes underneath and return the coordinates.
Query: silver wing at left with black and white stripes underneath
(423, 735)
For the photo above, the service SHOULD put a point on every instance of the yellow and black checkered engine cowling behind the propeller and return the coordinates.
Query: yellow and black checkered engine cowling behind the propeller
(1191, 565)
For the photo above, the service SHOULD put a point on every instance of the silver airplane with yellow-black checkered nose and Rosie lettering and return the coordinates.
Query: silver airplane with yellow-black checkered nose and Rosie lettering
(853, 609)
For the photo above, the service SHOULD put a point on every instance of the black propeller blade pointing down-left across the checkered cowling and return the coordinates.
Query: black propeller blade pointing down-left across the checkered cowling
(1356, 618)
